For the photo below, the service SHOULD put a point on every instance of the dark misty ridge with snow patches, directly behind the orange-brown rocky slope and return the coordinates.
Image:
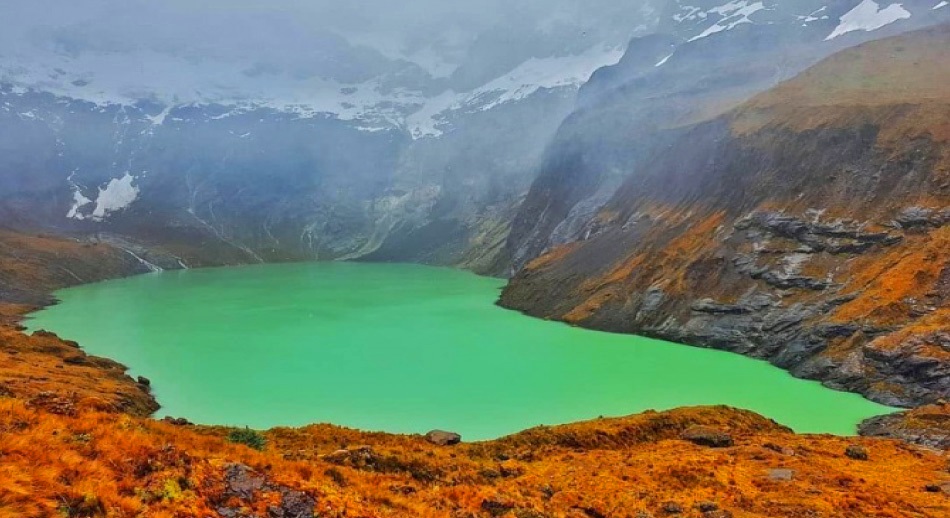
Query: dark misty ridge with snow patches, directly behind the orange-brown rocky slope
(703, 59)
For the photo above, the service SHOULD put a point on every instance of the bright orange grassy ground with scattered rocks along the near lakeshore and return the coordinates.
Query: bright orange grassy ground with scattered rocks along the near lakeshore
(103, 464)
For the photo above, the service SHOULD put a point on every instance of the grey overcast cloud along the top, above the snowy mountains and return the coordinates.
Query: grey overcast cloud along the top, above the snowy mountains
(271, 29)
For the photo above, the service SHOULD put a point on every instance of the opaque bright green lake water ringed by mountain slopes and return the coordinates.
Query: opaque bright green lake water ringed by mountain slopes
(403, 348)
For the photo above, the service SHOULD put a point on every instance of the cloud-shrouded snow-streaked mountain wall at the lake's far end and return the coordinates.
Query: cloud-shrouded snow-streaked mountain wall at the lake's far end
(309, 132)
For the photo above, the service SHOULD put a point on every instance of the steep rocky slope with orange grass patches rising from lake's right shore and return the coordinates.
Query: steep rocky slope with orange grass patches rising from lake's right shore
(809, 227)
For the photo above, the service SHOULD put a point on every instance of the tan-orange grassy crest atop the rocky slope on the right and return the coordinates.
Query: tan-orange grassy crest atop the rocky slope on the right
(906, 74)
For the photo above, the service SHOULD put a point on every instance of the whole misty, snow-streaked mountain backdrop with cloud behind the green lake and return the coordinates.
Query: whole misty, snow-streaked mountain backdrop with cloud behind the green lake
(446, 133)
